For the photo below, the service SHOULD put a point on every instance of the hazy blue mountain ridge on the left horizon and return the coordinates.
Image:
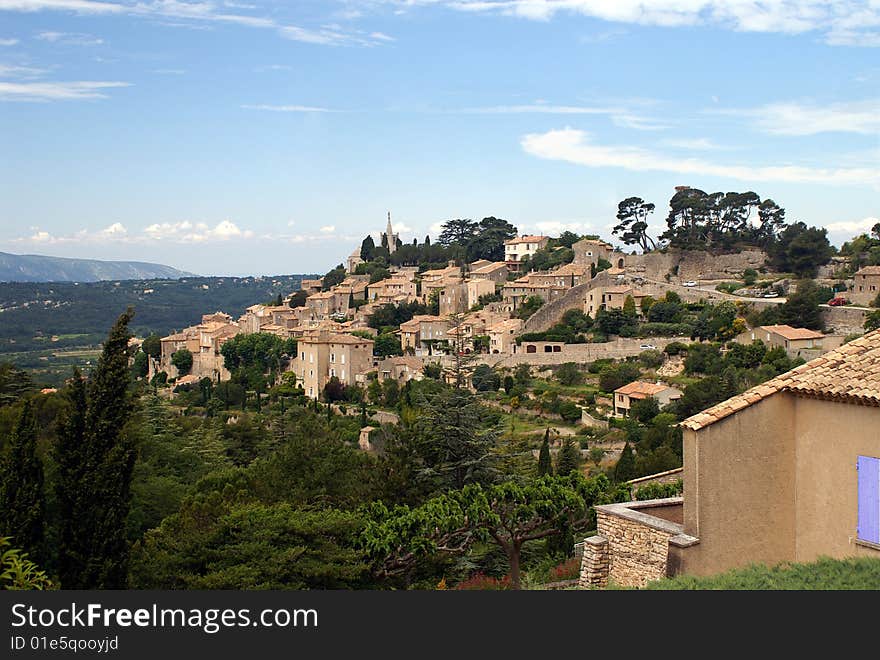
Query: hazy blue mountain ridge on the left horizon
(39, 268)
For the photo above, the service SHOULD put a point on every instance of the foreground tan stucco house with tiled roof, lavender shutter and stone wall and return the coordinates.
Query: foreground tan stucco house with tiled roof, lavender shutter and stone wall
(788, 471)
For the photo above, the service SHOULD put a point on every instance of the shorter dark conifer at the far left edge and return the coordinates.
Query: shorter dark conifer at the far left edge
(22, 502)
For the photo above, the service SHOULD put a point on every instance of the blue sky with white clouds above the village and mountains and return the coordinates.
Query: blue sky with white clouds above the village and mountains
(268, 137)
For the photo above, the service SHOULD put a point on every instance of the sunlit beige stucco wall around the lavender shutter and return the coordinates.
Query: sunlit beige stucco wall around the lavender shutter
(830, 437)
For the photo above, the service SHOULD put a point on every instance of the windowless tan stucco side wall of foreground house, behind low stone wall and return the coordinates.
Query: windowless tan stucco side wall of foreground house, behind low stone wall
(739, 488)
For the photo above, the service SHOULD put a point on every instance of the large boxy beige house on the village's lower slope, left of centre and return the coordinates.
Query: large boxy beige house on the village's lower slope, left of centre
(325, 354)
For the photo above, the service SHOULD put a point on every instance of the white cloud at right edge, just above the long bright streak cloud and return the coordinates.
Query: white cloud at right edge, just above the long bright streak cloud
(792, 118)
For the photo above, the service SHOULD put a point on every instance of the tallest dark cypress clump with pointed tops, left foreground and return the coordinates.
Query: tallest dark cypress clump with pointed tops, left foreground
(96, 460)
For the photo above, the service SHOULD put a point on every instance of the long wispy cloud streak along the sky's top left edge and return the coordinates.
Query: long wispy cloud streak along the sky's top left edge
(202, 12)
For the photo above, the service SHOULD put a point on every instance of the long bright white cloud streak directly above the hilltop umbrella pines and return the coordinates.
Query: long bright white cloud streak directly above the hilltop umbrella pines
(574, 146)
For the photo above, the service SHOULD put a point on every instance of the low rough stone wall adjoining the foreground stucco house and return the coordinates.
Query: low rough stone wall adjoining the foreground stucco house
(631, 547)
